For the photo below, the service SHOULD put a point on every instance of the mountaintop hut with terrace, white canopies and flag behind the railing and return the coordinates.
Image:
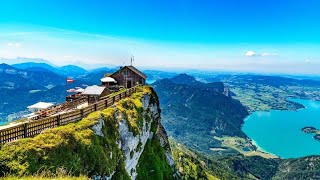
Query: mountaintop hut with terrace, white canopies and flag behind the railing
(124, 78)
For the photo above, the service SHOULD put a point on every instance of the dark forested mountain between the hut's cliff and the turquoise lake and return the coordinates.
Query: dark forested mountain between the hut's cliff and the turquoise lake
(194, 111)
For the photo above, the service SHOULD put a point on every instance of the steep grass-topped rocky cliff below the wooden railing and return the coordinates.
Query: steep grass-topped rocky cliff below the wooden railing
(125, 141)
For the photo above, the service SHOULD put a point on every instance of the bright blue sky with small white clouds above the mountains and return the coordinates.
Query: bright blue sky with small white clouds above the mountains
(244, 35)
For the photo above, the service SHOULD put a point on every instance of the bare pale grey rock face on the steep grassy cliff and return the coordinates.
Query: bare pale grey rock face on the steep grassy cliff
(133, 145)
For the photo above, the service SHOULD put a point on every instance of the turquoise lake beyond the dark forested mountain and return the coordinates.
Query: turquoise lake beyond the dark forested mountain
(279, 132)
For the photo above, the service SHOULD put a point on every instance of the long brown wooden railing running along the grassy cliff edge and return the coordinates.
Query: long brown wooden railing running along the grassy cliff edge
(32, 128)
